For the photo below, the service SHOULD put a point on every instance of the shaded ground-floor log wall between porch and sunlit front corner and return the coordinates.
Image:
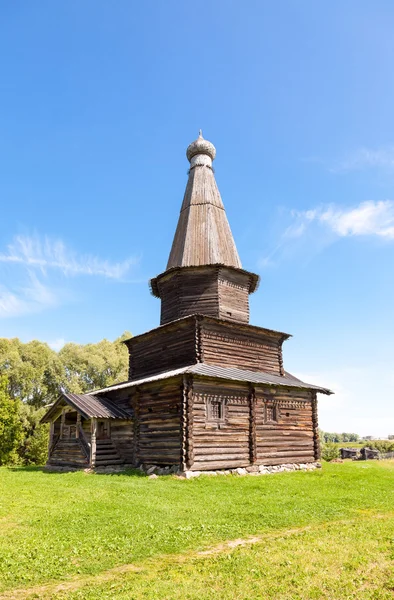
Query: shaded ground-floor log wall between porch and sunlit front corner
(158, 407)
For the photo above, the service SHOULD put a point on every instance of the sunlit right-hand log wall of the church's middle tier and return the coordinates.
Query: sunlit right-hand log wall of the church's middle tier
(229, 345)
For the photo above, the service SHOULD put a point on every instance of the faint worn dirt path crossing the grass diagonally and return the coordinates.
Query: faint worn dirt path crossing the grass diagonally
(73, 584)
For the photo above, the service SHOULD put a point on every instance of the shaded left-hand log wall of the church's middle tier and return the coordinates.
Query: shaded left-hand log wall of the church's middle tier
(166, 348)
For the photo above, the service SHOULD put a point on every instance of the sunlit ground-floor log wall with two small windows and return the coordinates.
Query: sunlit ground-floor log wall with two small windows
(262, 426)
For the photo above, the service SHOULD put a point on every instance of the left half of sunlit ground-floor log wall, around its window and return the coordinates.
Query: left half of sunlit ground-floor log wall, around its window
(220, 446)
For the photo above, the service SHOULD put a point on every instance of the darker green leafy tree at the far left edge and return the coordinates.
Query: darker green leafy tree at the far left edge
(11, 430)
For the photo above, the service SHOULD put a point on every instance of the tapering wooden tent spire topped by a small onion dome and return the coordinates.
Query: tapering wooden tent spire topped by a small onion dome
(203, 235)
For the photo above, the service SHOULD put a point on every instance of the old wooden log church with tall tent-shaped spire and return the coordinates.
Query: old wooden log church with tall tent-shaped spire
(206, 389)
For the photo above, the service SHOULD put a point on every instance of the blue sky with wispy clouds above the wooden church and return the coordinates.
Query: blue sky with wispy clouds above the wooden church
(98, 102)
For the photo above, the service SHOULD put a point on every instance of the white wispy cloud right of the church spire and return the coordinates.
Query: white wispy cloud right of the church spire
(323, 225)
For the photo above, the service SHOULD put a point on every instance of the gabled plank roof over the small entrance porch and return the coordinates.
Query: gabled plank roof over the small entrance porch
(89, 406)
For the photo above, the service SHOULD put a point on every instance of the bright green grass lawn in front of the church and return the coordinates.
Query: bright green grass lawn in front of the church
(326, 534)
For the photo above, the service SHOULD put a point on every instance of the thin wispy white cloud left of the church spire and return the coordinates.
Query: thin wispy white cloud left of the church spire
(45, 253)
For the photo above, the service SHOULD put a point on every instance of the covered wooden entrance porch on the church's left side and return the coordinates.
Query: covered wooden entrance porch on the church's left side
(87, 431)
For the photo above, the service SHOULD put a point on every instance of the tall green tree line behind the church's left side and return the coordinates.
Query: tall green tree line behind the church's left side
(31, 377)
